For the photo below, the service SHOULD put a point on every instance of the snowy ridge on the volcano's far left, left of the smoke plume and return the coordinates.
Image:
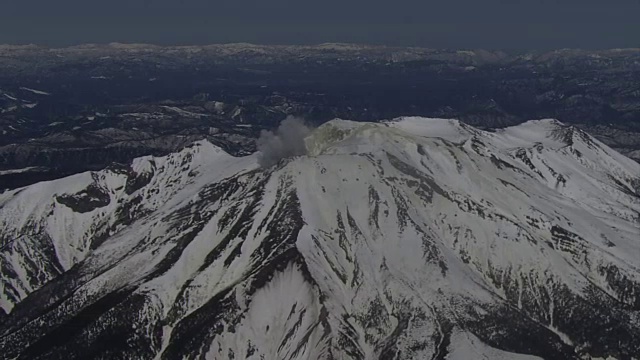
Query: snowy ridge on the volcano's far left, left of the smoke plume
(73, 213)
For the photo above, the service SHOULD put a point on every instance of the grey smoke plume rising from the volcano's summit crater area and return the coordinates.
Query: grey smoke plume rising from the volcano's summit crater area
(286, 141)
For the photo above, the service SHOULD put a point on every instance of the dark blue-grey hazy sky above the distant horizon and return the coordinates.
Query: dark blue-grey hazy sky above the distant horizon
(508, 24)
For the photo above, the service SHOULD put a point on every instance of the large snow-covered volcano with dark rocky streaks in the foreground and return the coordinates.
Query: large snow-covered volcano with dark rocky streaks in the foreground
(411, 239)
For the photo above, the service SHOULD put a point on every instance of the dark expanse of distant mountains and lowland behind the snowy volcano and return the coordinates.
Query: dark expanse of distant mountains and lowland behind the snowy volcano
(80, 108)
